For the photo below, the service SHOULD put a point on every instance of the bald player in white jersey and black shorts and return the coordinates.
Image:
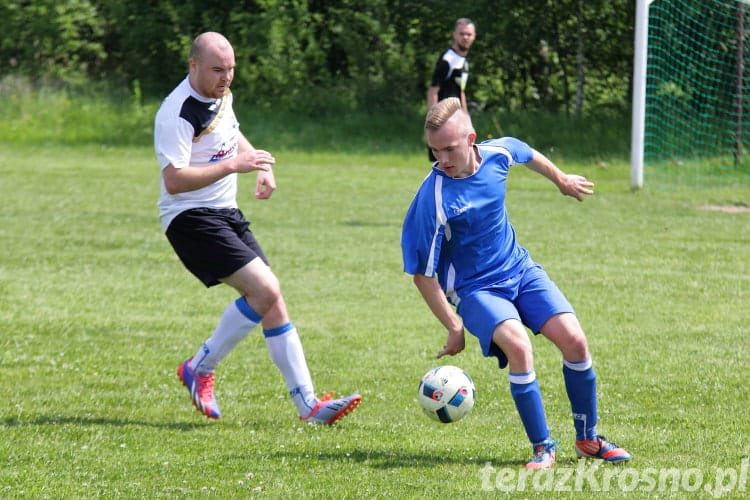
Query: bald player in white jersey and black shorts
(201, 150)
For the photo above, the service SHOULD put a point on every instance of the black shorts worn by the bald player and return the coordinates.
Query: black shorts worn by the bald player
(213, 243)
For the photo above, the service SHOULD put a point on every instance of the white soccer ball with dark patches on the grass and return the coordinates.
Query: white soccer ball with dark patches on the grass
(446, 394)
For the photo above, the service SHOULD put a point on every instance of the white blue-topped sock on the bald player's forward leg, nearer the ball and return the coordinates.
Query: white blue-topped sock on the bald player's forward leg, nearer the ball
(285, 348)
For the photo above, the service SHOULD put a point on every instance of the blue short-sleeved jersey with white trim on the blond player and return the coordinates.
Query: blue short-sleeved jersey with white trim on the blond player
(458, 229)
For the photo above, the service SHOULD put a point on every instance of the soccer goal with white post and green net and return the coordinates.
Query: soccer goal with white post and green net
(695, 109)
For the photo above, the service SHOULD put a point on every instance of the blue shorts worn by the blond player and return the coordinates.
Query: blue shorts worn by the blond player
(531, 298)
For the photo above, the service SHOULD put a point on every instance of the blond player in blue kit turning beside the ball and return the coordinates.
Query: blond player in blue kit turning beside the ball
(460, 247)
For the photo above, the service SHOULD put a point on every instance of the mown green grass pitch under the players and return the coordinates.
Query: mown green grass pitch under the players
(96, 313)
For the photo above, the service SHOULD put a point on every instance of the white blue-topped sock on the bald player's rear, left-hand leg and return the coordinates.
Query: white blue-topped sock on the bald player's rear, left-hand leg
(235, 324)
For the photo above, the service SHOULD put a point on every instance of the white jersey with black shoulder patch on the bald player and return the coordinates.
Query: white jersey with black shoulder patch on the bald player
(193, 130)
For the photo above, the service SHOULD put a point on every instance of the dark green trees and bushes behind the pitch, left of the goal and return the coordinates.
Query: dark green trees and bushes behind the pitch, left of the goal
(314, 55)
